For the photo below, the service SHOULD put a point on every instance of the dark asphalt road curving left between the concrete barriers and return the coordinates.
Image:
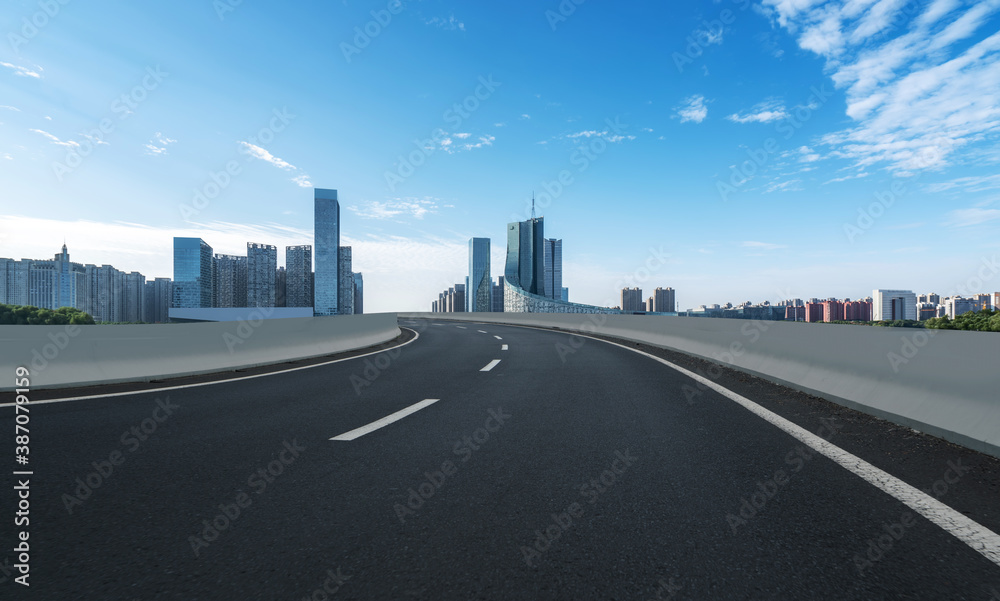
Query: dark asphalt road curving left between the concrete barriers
(571, 469)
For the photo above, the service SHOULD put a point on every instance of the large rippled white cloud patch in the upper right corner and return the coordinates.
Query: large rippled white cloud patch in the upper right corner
(922, 82)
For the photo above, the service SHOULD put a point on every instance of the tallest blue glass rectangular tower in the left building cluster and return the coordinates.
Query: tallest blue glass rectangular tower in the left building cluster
(327, 244)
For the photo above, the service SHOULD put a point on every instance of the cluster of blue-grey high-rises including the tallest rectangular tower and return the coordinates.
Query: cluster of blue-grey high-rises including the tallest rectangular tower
(204, 280)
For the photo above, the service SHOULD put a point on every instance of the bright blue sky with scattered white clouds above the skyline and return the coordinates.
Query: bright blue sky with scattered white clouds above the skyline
(736, 151)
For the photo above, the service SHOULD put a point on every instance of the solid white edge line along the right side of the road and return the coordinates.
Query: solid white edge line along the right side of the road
(970, 532)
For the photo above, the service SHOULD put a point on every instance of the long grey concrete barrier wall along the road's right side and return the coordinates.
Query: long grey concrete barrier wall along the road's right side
(940, 382)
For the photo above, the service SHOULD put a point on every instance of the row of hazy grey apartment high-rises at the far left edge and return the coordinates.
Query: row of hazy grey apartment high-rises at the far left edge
(107, 294)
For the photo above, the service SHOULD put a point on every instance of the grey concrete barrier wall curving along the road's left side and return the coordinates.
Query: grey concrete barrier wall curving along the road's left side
(63, 356)
